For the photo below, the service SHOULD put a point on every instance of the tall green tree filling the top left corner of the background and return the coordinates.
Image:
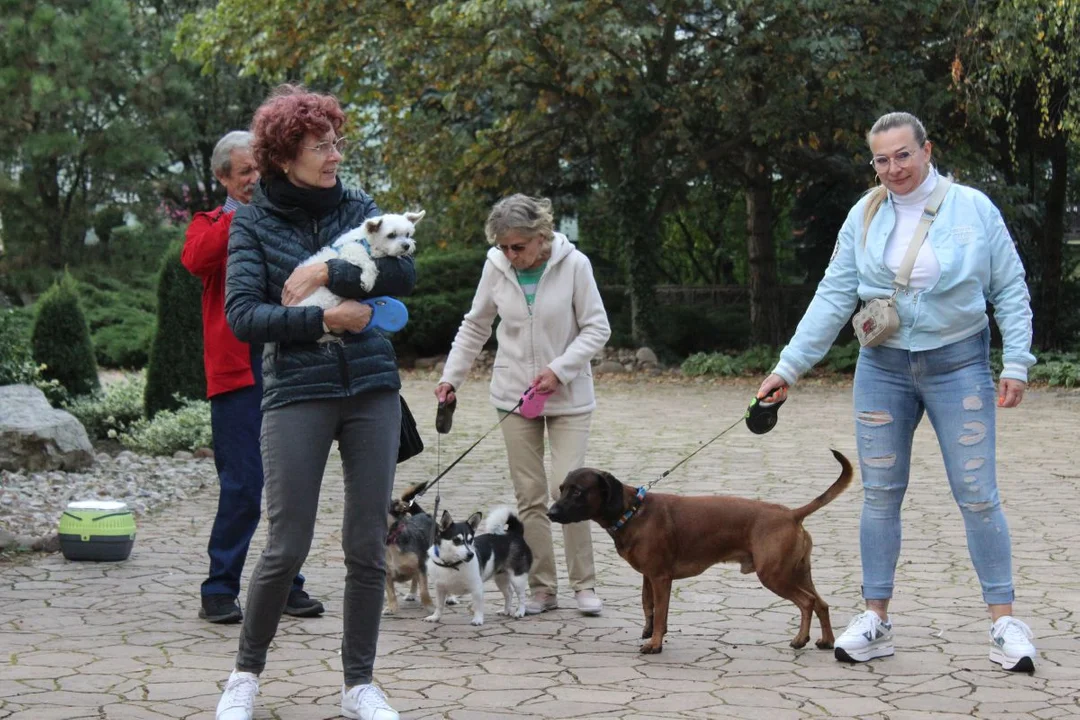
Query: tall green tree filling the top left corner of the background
(71, 137)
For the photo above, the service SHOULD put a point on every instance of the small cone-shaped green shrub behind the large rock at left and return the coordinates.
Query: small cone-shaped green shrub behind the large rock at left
(61, 339)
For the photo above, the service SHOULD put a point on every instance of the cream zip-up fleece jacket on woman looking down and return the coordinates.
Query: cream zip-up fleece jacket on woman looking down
(566, 328)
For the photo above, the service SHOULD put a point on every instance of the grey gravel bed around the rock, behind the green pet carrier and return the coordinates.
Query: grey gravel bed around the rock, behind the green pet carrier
(32, 504)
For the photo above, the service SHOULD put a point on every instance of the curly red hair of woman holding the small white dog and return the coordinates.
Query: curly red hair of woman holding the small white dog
(285, 118)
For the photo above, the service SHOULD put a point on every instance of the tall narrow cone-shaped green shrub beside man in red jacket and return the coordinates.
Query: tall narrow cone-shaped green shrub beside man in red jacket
(177, 355)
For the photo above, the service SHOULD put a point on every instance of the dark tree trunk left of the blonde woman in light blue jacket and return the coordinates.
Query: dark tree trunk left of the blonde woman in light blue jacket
(765, 310)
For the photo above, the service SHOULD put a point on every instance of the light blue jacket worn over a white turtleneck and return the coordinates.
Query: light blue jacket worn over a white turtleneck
(979, 263)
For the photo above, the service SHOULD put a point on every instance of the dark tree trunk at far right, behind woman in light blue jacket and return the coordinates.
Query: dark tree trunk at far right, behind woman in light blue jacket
(1051, 240)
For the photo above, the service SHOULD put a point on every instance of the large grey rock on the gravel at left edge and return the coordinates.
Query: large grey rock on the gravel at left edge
(35, 437)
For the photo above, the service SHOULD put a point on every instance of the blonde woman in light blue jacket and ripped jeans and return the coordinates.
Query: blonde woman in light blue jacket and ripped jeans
(938, 363)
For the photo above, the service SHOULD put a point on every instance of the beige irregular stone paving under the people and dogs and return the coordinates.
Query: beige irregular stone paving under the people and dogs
(123, 642)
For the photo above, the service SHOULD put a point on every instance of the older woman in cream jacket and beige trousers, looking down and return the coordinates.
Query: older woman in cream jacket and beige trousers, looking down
(549, 343)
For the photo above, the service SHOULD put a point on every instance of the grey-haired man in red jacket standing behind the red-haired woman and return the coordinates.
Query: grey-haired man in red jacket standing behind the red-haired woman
(235, 388)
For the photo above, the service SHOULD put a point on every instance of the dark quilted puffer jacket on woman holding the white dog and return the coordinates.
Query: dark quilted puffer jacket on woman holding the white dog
(266, 244)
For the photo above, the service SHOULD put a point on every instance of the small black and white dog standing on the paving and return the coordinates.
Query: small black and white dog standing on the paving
(461, 562)
